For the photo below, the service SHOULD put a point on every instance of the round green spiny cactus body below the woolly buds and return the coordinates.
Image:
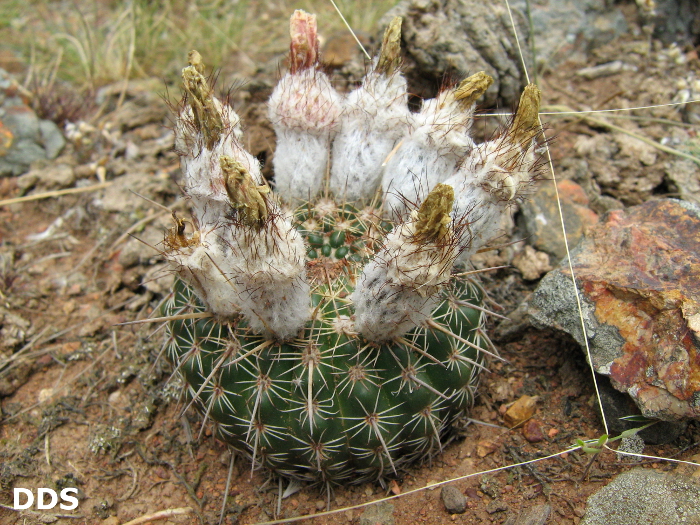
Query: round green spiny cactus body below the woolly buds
(328, 405)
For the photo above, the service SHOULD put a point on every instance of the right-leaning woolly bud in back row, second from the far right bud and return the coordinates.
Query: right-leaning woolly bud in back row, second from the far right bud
(430, 152)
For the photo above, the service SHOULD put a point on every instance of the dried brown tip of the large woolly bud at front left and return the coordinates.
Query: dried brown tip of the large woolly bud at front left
(244, 195)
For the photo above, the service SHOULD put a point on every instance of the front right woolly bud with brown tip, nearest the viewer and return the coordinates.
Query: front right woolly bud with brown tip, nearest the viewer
(398, 289)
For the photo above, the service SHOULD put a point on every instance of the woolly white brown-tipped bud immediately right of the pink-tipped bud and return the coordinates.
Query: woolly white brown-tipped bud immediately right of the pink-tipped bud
(375, 117)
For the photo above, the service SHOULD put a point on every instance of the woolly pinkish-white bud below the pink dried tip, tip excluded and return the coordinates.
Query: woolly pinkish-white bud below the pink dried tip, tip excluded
(305, 113)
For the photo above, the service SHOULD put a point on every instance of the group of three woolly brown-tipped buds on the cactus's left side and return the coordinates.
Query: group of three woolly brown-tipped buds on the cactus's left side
(244, 256)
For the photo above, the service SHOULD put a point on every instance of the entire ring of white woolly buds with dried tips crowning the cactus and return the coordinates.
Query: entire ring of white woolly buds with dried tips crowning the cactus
(445, 192)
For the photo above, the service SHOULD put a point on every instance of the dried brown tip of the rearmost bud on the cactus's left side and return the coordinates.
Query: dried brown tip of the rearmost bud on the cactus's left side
(205, 116)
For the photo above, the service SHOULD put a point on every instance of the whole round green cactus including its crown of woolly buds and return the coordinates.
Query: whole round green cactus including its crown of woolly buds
(330, 328)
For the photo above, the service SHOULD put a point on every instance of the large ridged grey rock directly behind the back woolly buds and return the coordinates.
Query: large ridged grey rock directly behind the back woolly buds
(461, 37)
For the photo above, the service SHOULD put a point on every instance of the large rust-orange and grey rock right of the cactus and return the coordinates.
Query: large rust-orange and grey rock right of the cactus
(638, 272)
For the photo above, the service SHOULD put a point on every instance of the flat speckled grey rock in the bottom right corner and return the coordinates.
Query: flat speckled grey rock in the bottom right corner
(645, 496)
